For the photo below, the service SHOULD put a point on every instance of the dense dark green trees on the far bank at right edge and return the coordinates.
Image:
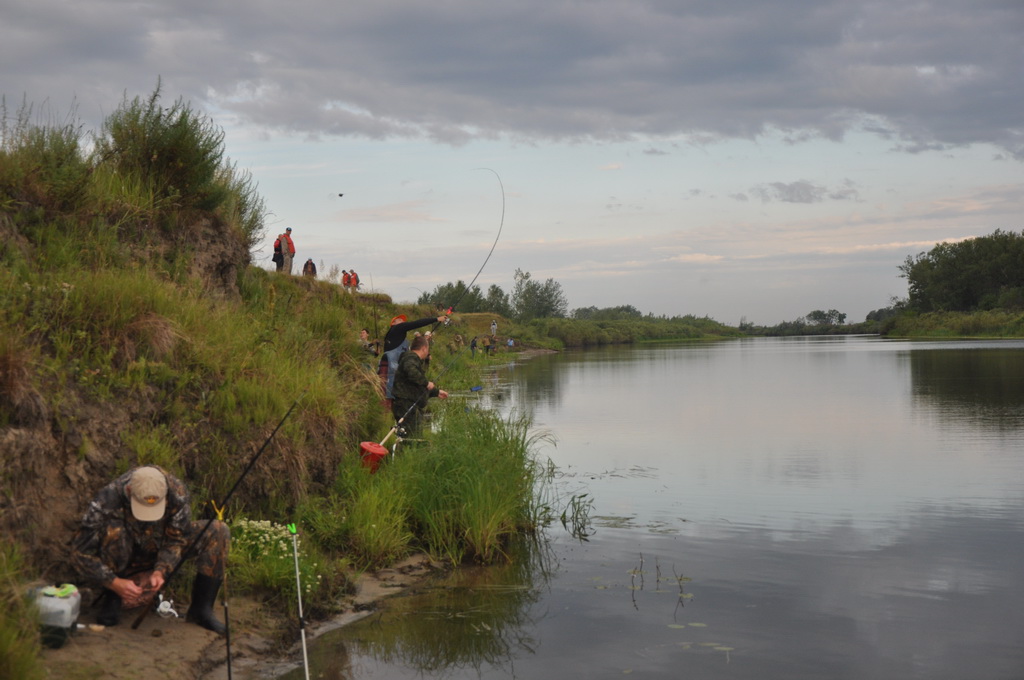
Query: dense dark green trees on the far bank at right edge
(987, 273)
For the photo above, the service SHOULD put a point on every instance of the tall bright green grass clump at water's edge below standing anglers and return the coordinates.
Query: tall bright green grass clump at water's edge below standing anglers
(464, 495)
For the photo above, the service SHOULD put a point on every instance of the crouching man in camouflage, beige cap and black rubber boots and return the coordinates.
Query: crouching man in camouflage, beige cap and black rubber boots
(134, 535)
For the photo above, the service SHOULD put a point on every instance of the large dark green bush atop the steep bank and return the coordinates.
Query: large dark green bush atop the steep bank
(176, 151)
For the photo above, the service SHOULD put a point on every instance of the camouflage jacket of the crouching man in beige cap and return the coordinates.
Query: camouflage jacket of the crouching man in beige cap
(161, 543)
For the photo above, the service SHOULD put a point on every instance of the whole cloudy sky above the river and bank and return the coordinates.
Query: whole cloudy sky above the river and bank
(742, 159)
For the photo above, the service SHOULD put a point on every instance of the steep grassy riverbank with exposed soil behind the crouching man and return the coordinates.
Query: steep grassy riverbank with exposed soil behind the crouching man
(136, 330)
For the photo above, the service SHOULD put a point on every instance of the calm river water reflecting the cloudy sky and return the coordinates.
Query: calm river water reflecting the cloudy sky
(765, 508)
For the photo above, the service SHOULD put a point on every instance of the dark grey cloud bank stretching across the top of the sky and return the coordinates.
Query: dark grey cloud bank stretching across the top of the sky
(927, 75)
